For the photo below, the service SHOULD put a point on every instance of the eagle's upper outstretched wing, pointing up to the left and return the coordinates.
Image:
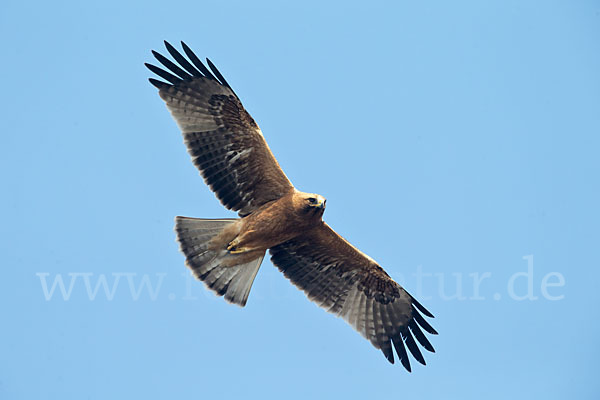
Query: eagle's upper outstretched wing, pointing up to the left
(225, 143)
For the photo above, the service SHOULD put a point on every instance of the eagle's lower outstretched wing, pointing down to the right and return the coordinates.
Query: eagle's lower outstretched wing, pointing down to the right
(346, 282)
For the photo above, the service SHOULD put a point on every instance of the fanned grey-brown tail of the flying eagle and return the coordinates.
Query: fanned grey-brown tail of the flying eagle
(232, 281)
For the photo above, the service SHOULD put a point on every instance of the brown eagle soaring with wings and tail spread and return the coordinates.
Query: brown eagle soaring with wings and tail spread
(229, 149)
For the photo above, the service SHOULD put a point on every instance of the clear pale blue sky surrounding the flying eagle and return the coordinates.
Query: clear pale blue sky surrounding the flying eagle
(455, 142)
